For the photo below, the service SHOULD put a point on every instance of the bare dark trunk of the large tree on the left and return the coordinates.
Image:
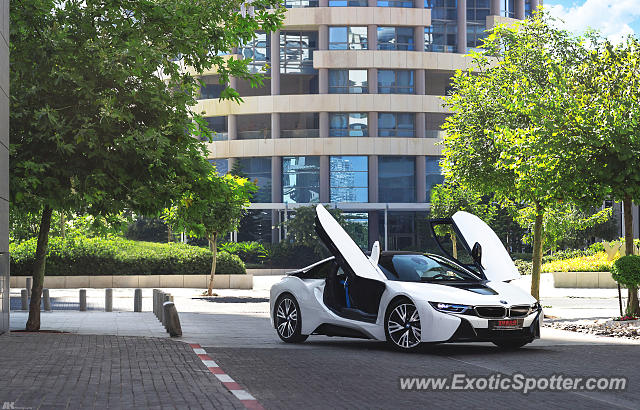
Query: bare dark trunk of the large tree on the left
(33, 323)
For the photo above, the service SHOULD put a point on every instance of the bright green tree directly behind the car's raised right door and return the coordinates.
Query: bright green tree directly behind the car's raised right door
(509, 135)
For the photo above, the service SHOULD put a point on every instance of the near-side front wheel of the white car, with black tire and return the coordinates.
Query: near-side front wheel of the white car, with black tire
(402, 326)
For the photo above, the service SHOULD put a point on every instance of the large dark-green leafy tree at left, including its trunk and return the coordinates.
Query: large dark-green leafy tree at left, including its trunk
(100, 110)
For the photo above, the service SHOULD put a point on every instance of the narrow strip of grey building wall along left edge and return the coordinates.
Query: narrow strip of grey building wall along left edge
(4, 166)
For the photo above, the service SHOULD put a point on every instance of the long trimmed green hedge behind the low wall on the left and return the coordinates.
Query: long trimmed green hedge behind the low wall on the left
(116, 256)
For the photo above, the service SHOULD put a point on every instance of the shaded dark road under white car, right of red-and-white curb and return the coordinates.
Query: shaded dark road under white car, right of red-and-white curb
(366, 375)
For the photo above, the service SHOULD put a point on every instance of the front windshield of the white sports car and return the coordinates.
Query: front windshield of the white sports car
(422, 268)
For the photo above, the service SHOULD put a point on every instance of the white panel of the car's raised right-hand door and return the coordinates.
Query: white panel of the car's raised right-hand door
(496, 263)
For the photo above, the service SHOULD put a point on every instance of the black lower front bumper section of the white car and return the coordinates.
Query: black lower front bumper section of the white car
(467, 333)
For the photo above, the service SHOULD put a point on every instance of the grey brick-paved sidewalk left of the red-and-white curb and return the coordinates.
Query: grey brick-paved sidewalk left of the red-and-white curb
(72, 371)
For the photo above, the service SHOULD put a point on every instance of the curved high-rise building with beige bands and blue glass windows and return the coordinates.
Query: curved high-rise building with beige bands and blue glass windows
(351, 111)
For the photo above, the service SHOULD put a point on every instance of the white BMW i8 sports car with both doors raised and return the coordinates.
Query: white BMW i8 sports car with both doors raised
(458, 293)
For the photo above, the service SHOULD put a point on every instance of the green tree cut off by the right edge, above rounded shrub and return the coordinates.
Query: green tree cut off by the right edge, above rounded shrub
(610, 125)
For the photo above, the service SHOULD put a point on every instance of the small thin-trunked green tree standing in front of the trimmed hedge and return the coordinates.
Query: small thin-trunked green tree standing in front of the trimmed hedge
(212, 208)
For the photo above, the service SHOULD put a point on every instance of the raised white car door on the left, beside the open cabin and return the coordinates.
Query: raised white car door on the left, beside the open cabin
(347, 252)
